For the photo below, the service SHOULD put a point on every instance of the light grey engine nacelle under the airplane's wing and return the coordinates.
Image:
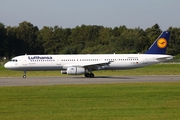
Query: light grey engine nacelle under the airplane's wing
(73, 71)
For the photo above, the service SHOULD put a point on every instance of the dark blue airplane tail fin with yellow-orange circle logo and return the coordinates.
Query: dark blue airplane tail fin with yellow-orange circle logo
(160, 45)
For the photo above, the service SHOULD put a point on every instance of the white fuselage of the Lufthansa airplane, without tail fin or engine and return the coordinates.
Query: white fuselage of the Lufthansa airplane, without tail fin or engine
(62, 62)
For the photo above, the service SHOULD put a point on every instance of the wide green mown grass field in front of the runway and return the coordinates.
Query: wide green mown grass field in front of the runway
(125, 101)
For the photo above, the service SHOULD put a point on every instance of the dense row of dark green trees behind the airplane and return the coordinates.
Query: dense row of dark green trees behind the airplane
(85, 39)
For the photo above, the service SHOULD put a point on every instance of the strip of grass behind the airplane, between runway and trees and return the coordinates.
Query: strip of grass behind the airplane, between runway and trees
(157, 69)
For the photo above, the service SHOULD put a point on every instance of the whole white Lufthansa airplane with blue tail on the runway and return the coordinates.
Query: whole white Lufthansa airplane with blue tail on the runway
(87, 63)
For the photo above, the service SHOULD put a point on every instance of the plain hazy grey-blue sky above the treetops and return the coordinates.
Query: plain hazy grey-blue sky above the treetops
(107, 13)
